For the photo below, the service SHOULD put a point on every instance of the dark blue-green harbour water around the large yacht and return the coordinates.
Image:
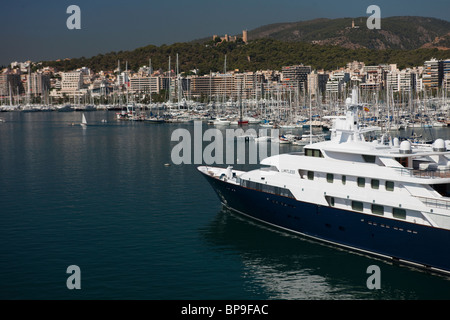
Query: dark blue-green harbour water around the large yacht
(102, 199)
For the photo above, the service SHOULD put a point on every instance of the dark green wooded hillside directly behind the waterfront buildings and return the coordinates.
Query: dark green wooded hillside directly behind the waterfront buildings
(259, 54)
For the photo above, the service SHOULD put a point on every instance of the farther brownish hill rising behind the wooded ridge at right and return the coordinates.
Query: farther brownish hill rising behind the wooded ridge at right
(405, 33)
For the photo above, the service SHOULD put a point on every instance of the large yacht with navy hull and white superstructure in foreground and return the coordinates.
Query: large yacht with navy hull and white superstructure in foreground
(382, 197)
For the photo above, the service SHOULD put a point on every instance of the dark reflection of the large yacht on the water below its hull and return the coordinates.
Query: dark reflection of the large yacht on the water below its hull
(286, 266)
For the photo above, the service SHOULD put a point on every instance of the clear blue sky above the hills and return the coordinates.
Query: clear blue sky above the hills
(36, 30)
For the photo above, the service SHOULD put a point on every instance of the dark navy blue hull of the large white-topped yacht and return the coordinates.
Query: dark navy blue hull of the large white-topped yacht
(422, 246)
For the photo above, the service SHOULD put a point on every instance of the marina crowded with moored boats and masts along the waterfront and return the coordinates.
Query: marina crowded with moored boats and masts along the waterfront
(282, 113)
